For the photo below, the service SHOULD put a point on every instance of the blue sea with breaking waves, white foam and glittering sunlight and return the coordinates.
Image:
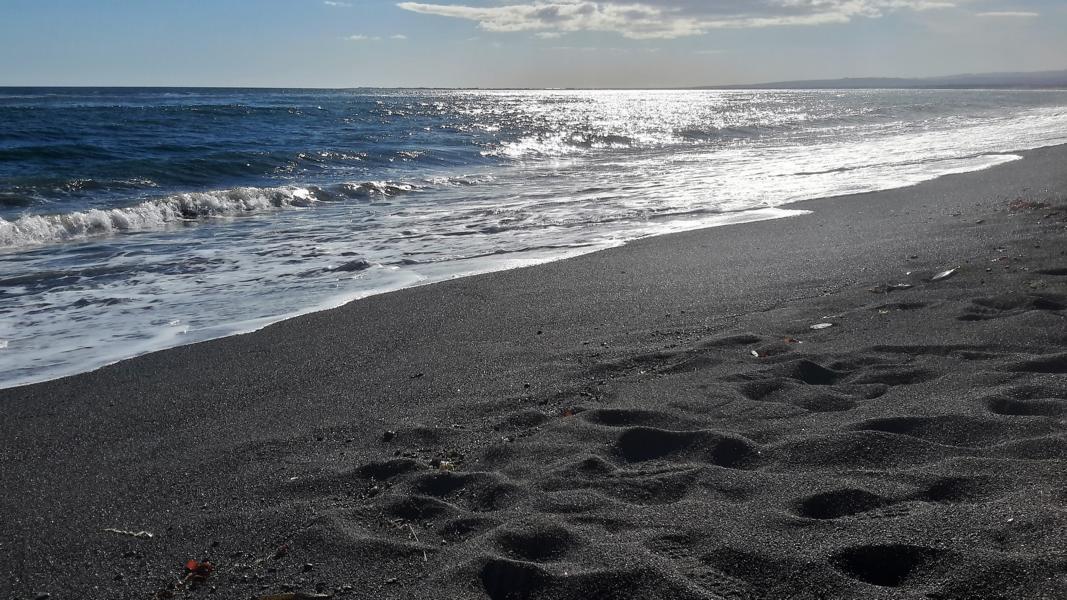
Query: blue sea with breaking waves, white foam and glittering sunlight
(137, 219)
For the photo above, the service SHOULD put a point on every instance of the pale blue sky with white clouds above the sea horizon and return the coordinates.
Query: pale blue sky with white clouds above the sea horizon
(518, 43)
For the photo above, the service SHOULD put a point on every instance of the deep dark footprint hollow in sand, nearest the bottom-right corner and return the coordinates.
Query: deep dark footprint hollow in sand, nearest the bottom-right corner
(886, 565)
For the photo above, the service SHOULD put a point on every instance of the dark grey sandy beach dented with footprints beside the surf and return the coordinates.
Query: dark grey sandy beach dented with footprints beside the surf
(613, 434)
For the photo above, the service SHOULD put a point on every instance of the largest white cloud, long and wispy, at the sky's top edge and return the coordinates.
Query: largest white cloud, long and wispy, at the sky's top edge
(648, 20)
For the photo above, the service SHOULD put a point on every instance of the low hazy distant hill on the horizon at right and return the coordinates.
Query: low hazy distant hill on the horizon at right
(1033, 80)
